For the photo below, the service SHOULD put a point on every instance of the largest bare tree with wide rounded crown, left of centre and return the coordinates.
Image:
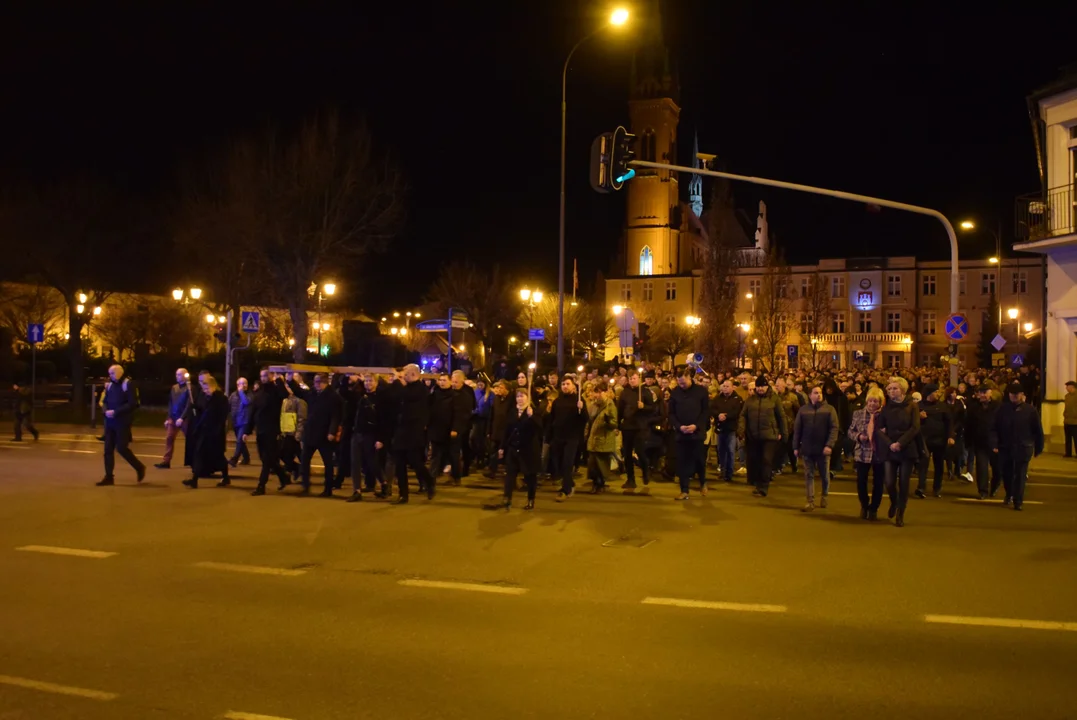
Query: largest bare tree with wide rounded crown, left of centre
(302, 209)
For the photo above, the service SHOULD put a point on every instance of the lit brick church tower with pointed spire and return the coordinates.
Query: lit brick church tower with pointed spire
(652, 242)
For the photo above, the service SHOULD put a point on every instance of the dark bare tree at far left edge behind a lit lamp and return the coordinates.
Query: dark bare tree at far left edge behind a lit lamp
(68, 237)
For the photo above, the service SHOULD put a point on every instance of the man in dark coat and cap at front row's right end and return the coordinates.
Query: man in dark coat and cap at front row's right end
(1017, 437)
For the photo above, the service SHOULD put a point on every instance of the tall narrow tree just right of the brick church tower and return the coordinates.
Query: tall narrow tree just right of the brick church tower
(718, 301)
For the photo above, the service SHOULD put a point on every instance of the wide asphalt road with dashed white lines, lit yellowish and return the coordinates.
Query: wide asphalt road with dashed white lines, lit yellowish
(211, 603)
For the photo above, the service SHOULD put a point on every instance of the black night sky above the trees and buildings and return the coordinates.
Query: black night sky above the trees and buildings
(921, 104)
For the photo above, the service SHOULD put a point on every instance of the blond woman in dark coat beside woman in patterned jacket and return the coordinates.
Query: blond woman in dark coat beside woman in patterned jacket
(897, 433)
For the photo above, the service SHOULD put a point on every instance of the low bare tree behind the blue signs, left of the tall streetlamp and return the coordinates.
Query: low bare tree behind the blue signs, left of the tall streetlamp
(485, 297)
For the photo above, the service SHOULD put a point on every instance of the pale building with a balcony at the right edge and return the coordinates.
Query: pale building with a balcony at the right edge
(1047, 225)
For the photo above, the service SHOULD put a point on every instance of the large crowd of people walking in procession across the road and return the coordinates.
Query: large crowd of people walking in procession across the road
(663, 425)
